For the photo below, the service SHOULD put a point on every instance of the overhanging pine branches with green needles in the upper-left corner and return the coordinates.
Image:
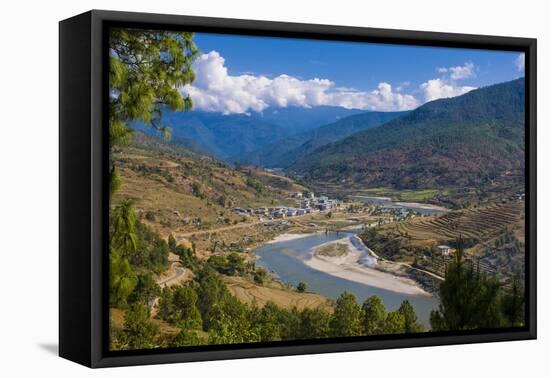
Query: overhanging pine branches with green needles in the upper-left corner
(147, 68)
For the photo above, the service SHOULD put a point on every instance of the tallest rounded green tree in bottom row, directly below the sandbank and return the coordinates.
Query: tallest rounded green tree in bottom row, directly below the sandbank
(347, 317)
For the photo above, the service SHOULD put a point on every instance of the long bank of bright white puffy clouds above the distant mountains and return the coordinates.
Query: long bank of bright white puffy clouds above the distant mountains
(216, 90)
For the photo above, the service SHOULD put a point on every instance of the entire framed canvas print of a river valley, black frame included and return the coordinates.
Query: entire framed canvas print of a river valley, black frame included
(234, 188)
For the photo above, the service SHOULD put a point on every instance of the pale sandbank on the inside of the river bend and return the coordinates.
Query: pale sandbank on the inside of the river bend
(354, 266)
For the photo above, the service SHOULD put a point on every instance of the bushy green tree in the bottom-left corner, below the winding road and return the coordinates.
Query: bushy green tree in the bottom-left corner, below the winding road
(139, 332)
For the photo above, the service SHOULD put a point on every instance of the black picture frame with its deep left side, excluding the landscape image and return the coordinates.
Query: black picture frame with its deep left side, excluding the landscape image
(83, 196)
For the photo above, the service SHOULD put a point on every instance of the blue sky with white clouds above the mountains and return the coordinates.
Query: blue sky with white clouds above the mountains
(237, 74)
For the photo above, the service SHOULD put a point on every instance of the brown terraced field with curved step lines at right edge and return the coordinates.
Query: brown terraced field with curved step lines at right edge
(479, 223)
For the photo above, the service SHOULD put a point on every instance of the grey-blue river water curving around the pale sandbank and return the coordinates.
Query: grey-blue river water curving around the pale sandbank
(286, 260)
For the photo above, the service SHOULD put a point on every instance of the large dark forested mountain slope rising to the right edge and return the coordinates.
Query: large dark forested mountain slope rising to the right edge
(467, 141)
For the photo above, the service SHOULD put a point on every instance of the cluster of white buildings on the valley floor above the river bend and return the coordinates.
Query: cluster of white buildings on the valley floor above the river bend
(306, 203)
